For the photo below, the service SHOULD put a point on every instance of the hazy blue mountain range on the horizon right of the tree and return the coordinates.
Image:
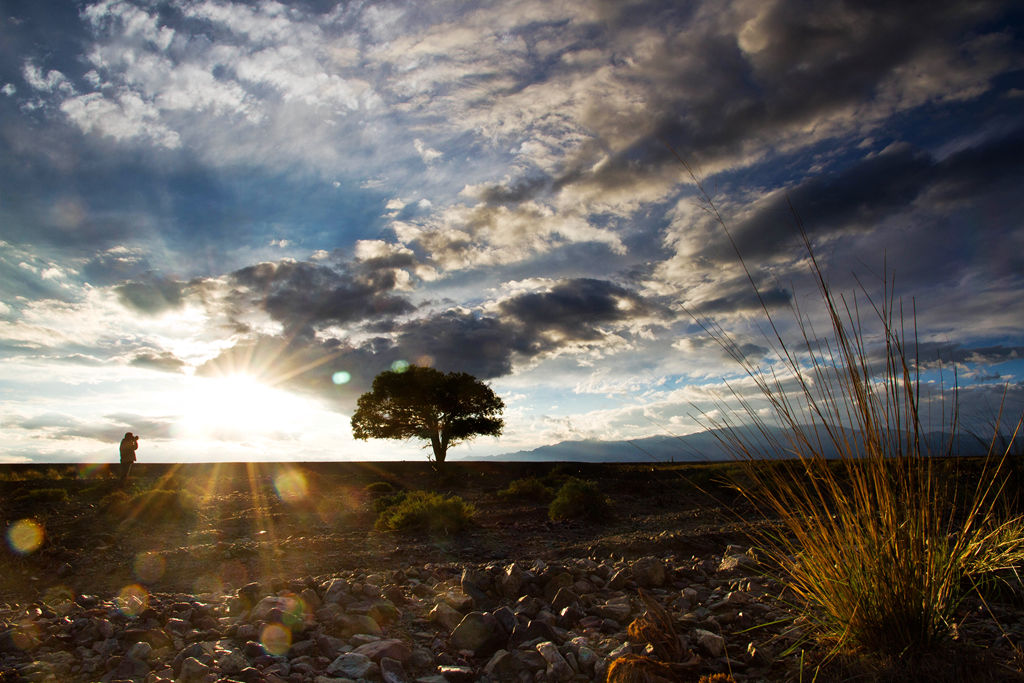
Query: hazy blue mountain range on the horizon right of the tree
(700, 447)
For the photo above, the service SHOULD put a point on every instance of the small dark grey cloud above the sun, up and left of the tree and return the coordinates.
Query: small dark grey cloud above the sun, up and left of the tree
(305, 295)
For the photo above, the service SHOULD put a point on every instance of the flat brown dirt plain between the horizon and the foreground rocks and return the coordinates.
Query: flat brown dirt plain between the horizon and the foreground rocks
(264, 522)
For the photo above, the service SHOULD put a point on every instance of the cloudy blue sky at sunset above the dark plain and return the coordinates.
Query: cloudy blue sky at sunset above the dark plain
(220, 222)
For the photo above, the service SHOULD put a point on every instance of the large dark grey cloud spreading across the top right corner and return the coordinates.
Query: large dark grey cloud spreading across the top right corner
(730, 95)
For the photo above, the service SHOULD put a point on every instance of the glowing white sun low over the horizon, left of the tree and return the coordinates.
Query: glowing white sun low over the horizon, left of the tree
(237, 408)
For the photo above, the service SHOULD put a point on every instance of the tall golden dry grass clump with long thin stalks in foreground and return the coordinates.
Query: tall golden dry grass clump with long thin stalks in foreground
(880, 547)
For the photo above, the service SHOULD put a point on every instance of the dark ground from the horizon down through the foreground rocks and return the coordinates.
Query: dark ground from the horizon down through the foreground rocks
(279, 576)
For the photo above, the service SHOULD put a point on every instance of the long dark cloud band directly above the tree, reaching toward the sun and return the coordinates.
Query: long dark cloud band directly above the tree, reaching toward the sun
(486, 347)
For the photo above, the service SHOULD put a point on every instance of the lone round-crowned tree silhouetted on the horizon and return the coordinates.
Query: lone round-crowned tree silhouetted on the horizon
(444, 409)
